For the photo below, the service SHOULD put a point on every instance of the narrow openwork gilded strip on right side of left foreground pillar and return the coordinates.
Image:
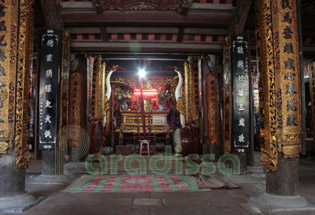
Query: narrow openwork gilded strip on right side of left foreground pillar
(23, 156)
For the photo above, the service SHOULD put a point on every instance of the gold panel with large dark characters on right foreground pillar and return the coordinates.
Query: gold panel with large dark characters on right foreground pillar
(287, 69)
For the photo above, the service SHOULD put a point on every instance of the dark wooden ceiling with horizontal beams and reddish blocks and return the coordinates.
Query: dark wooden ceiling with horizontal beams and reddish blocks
(199, 28)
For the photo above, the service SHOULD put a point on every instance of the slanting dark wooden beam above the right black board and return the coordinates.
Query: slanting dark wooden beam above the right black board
(241, 14)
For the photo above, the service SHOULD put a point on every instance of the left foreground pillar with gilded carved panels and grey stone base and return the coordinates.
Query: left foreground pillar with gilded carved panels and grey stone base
(15, 56)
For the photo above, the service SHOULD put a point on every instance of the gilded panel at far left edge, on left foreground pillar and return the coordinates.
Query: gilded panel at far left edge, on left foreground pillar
(8, 35)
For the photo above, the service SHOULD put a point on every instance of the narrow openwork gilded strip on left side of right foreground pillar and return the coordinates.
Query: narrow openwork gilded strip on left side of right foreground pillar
(267, 91)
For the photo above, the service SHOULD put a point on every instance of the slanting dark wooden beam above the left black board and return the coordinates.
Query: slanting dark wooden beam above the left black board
(51, 13)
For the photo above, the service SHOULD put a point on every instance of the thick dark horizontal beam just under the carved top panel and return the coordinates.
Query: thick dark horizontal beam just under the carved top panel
(148, 18)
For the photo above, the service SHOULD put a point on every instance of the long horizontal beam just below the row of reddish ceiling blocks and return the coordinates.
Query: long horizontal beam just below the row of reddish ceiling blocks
(135, 47)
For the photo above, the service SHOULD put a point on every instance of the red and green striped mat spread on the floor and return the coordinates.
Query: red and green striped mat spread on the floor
(134, 183)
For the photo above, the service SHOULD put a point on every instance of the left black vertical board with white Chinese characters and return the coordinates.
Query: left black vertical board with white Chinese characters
(48, 92)
